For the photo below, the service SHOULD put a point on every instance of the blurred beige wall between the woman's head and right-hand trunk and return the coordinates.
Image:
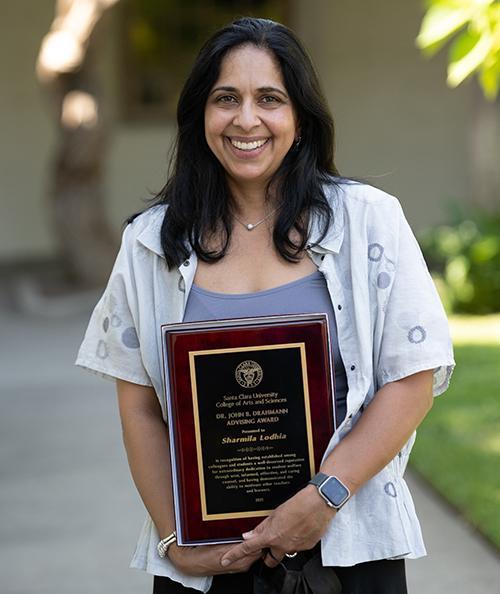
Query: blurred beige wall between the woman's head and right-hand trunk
(397, 123)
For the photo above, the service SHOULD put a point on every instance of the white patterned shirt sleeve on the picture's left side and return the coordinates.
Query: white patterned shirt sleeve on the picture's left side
(111, 347)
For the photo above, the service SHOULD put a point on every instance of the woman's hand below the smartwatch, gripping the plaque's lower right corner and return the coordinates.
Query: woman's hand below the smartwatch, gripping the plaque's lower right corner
(296, 525)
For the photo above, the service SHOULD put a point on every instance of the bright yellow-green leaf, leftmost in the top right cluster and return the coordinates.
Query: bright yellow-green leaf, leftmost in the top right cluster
(438, 24)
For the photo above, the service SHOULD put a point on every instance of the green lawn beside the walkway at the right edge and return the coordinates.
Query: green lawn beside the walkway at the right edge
(458, 444)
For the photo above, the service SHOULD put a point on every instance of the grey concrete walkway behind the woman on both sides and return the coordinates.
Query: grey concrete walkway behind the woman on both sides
(70, 514)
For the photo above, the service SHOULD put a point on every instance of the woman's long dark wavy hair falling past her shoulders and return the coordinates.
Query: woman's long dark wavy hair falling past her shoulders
(197, 194)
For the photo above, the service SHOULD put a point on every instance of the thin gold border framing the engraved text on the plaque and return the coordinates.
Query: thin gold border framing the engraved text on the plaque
(199, 452)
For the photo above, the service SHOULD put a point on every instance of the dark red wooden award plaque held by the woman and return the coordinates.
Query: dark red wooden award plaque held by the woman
(250, 407)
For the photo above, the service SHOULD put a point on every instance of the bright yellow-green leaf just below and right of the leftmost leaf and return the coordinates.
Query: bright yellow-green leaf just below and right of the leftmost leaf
(469, 58)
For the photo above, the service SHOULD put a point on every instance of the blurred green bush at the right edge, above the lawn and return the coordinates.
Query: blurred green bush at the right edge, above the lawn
(464, 259)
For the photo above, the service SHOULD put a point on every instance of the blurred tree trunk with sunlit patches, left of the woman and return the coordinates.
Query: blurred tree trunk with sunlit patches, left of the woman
(67, 69)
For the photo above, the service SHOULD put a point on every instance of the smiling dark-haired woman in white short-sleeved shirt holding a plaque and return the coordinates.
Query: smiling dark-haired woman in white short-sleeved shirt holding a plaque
(258, 222)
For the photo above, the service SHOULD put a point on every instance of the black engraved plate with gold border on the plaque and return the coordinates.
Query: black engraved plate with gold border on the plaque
(253, 428)
